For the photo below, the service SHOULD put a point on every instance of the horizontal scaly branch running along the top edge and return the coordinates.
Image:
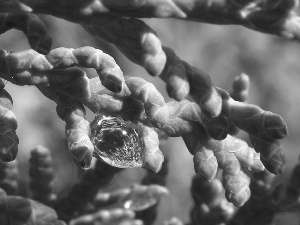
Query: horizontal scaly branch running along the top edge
(275, 17)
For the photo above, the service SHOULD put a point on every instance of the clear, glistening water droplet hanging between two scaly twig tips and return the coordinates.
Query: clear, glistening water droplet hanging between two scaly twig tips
(117, 142)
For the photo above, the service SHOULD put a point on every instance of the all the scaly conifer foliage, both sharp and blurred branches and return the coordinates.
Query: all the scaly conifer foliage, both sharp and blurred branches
(233, 177)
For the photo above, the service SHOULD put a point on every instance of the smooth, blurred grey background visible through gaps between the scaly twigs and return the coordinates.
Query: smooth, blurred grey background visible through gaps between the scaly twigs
(222, 51)
